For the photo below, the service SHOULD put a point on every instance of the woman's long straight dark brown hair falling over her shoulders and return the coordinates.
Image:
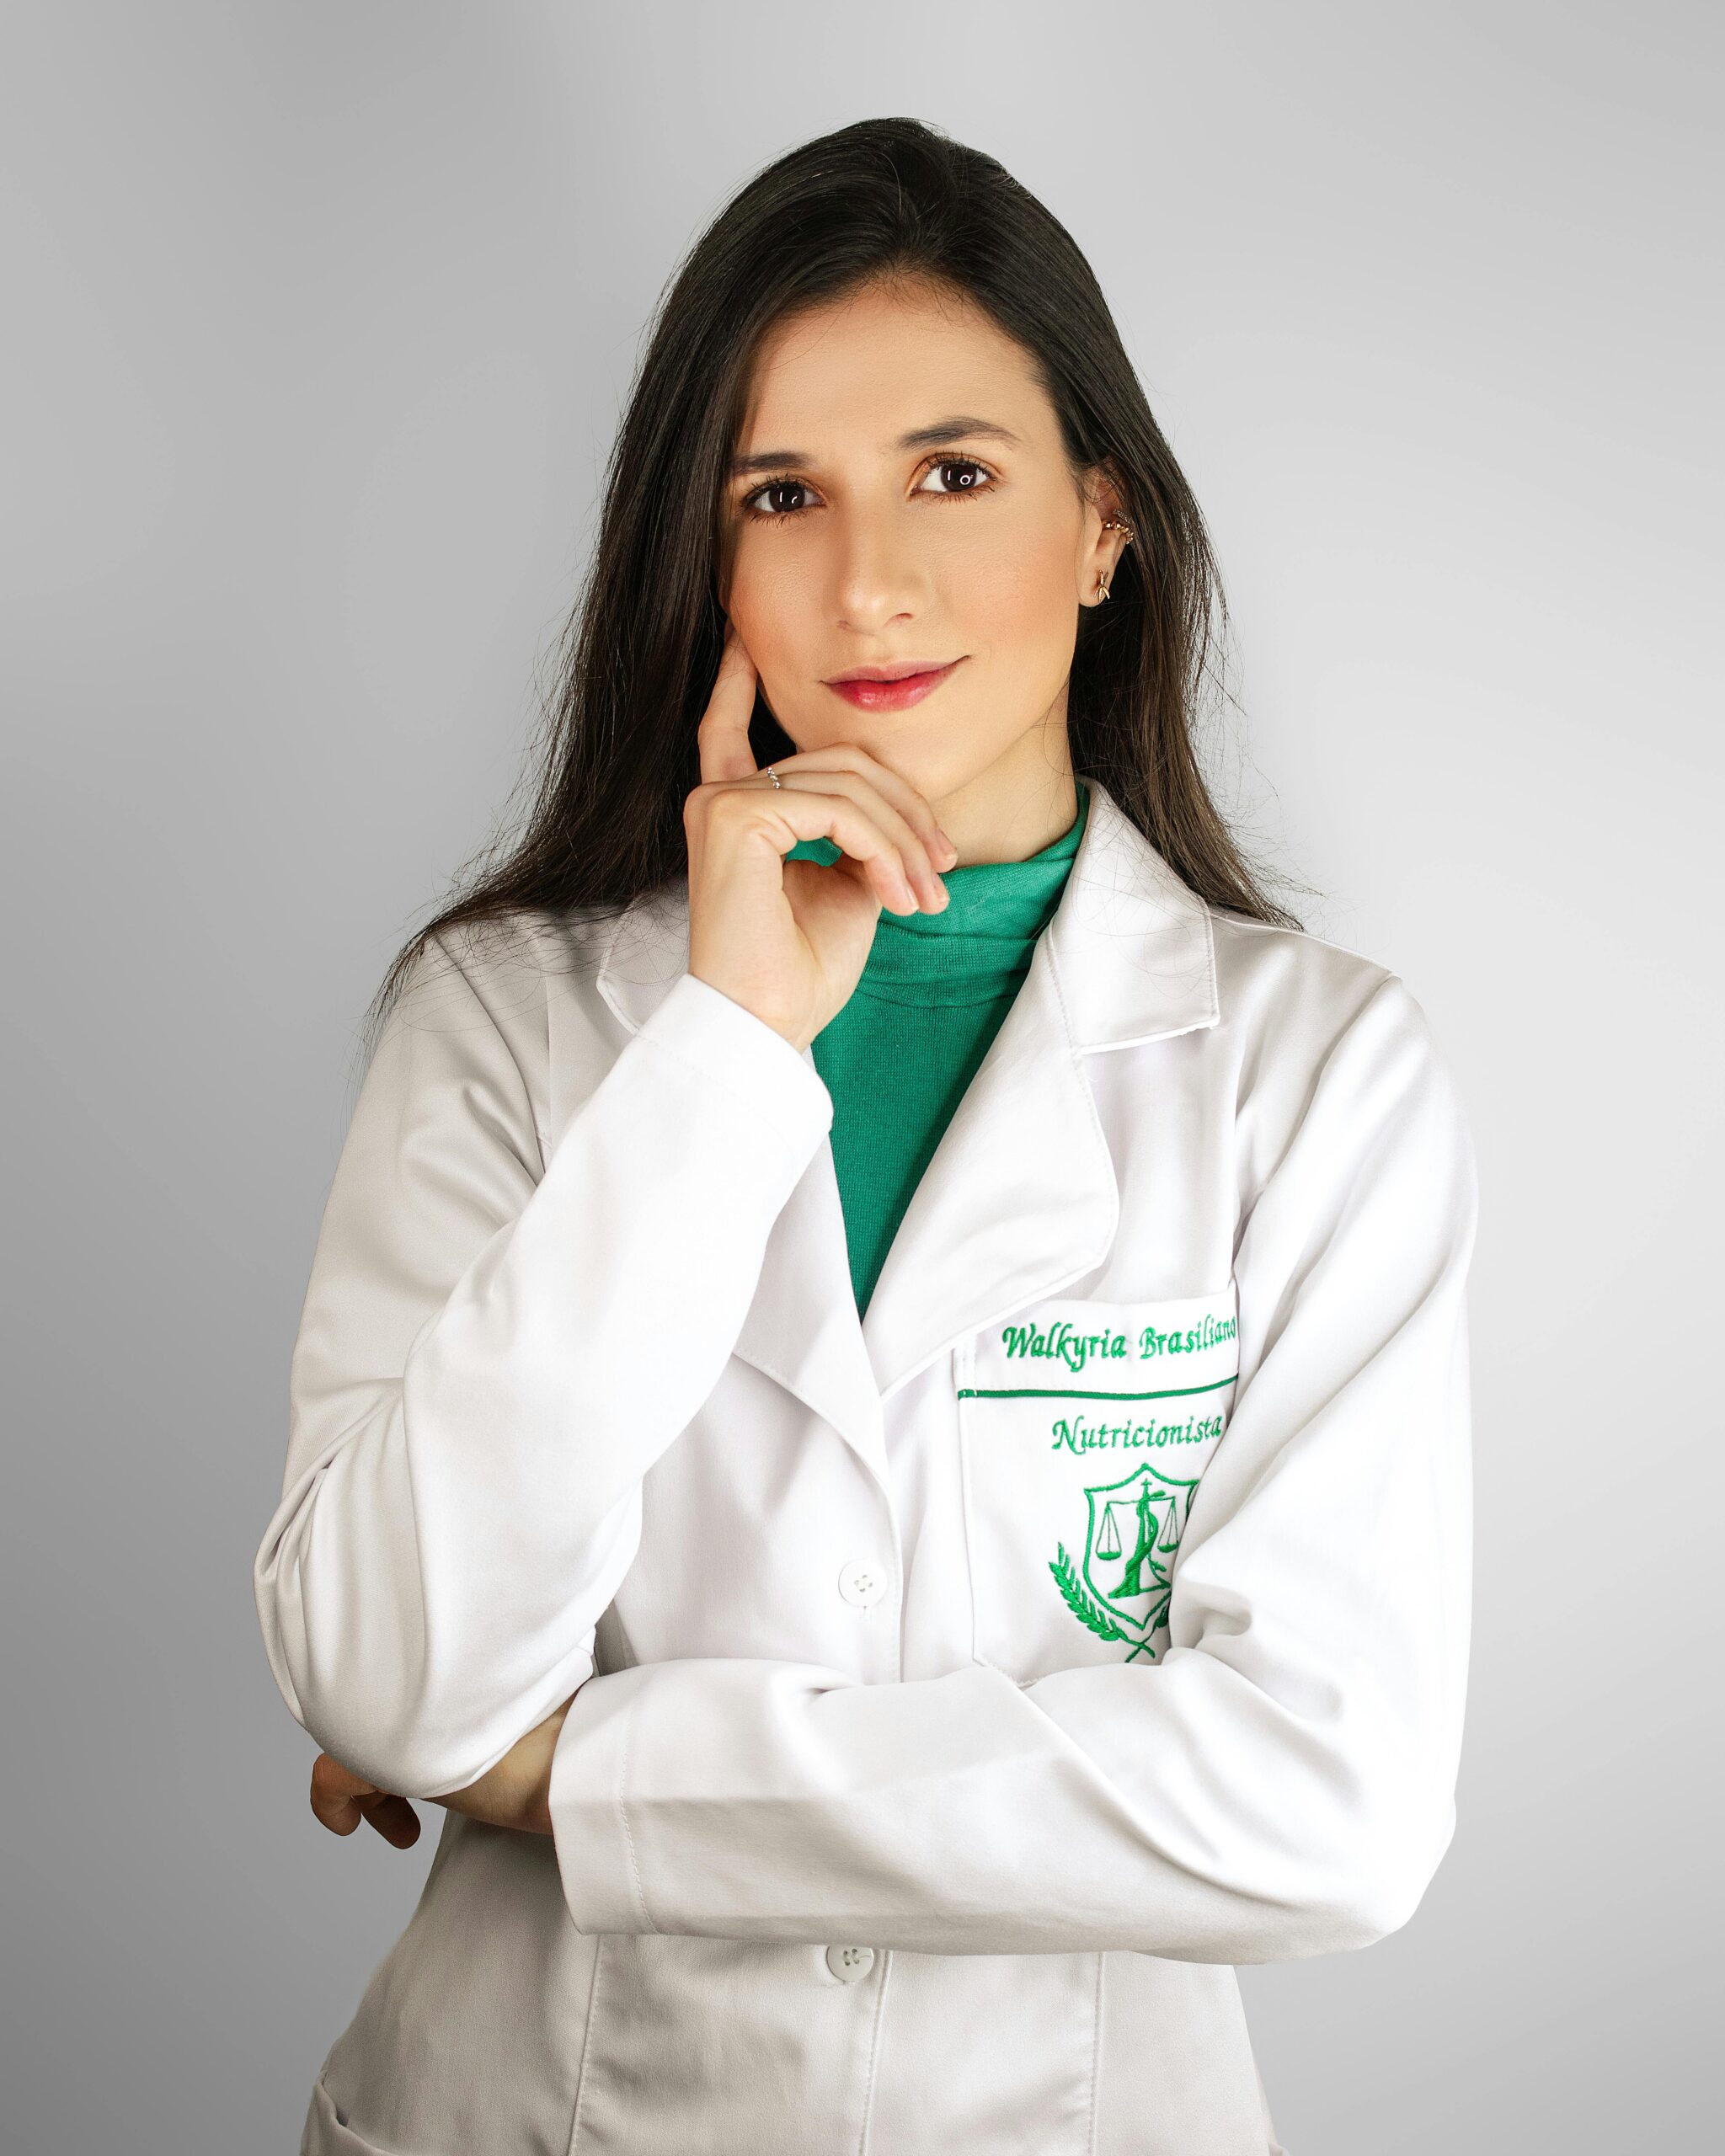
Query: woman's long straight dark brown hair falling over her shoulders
(881, 202)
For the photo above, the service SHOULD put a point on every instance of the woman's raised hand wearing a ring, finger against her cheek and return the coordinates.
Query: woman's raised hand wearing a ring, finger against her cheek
(788, 939)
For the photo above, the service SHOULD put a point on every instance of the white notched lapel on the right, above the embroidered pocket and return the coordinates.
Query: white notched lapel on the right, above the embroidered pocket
(1021, 1196)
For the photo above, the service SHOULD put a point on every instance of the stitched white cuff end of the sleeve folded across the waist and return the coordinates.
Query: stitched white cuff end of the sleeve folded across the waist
(590, 1829)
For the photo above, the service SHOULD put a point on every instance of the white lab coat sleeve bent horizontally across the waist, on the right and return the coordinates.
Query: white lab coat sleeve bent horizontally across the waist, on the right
(1280, 1784)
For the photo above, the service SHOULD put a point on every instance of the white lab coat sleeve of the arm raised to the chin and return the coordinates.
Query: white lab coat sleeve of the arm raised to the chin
(497, 1344)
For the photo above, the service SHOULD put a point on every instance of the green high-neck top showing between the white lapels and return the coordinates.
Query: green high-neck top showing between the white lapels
(933, 997)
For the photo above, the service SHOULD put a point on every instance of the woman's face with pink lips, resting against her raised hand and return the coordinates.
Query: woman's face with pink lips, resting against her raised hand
(902, 495)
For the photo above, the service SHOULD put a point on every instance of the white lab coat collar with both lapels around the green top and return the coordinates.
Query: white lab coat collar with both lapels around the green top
(1021, 1196)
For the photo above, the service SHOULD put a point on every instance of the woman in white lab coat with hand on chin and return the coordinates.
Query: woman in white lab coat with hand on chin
(883, 1409)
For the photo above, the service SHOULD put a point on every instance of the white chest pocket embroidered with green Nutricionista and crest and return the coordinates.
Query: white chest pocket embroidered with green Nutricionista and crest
(1084, 1433)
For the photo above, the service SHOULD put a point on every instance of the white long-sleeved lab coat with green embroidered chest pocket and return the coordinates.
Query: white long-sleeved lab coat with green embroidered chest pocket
(976, 1683)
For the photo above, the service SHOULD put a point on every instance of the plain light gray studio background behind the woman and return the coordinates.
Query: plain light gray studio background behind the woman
(318, 324)
